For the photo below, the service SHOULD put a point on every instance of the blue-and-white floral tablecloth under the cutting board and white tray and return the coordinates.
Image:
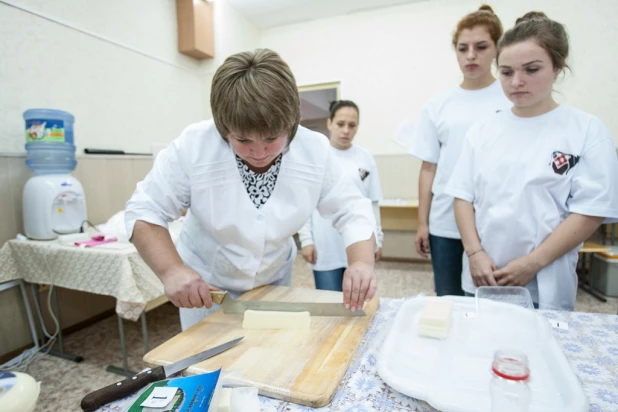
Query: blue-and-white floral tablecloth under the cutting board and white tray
(590, 344)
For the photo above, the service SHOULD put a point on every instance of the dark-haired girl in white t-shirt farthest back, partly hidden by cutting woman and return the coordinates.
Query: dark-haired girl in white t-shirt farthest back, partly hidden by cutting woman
(322, 246)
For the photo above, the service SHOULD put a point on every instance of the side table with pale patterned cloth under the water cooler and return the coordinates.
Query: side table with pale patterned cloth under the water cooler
(114, 270)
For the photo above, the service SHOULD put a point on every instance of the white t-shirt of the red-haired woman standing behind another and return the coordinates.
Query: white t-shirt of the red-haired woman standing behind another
(438, 138)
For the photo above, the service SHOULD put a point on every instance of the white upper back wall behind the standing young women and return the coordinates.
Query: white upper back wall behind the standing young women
(391, 61)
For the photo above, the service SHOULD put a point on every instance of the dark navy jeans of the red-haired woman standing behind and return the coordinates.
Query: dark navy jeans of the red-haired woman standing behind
(446, 256)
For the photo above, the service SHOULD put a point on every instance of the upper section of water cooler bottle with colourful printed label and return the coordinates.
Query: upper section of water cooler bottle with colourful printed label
(49, 125)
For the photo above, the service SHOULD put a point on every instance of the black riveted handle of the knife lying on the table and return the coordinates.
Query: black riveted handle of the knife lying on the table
(115, 391)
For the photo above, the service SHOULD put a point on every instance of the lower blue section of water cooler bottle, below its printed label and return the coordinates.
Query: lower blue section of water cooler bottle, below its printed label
(50, 158)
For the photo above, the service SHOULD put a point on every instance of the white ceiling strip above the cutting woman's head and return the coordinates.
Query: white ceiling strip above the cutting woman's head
(266, 14)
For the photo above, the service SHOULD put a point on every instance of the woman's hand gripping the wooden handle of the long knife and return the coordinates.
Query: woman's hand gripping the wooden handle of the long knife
(185, 288)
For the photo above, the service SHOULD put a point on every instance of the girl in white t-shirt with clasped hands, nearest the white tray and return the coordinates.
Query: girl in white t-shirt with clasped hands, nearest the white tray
(534, 182)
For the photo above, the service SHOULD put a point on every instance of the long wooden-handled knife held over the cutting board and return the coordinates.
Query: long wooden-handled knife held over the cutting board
(232, 306)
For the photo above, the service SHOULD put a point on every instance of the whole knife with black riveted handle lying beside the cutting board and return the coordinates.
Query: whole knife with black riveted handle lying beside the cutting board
(115, 391)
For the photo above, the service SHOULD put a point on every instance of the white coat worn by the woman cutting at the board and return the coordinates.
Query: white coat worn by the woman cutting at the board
(226, 239)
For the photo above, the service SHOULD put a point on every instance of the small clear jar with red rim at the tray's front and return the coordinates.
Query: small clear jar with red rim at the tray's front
(509, 382)
